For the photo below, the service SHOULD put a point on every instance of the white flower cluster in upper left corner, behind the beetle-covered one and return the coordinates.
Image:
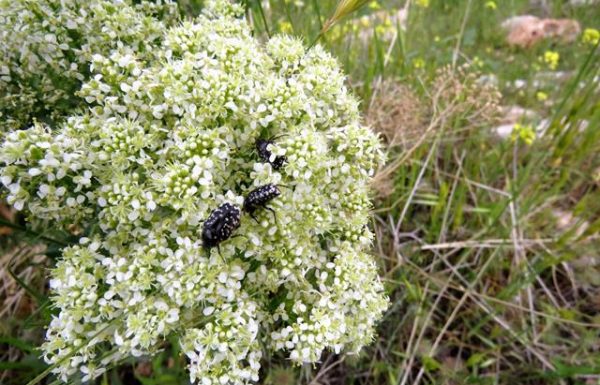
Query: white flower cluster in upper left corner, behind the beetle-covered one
(46, 47)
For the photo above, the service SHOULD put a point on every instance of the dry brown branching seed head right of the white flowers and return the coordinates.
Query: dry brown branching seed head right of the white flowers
(406, 120)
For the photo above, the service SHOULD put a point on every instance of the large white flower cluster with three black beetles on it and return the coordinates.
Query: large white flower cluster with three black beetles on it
(167, 140)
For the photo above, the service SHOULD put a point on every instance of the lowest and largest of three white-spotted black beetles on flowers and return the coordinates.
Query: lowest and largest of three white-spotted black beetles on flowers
(220, 225)
